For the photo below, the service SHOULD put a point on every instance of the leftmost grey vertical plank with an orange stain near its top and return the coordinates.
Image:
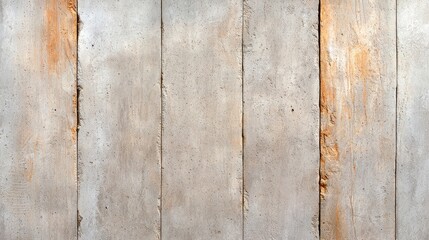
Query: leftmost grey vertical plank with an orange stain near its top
(37, 119)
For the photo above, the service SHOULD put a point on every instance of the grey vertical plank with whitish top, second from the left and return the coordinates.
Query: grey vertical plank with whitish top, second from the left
(120, 110)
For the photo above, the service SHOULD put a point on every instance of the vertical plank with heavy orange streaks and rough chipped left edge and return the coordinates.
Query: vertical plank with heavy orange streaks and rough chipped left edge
(358, 89)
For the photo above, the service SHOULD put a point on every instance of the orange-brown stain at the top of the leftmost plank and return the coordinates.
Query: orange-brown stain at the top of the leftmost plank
(60, 33)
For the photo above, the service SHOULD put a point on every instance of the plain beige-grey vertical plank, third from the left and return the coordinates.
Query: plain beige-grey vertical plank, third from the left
(202, 139)
